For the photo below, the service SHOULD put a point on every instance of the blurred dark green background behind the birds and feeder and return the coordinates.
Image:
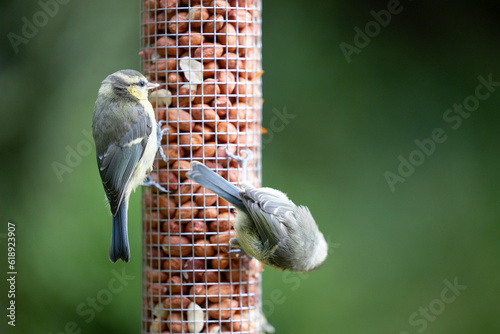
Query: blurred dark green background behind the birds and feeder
(391, 250)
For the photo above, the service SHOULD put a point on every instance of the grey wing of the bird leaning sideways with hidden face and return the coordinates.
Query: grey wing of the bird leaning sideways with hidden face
(270, 210)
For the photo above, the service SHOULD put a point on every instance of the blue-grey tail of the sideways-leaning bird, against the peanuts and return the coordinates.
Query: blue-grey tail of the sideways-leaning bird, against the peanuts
(216, 183)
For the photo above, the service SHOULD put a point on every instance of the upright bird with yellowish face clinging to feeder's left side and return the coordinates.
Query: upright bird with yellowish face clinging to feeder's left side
(125, 135)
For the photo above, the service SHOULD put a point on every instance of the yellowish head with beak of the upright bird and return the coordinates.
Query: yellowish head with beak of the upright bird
(128, 84)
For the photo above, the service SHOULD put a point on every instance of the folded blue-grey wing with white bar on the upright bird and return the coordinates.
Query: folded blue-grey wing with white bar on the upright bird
(119, 160)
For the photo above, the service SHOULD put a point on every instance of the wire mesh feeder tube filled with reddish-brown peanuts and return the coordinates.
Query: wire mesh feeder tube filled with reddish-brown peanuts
(207, 58)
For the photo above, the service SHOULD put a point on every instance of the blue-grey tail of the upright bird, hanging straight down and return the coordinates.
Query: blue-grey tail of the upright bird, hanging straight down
(119, 248)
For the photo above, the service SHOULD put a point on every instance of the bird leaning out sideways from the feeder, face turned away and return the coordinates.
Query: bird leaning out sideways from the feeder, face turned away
(268, 225)
